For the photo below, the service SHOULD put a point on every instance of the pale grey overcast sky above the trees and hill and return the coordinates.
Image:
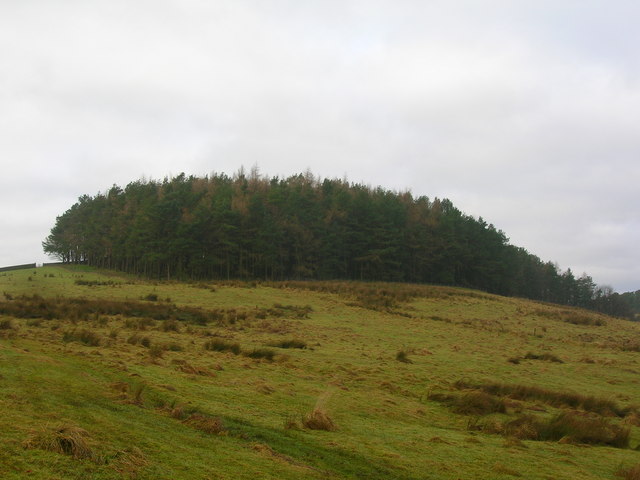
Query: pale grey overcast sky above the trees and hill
(525, 113)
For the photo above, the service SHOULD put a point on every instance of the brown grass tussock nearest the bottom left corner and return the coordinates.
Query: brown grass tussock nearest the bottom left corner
(64, 439)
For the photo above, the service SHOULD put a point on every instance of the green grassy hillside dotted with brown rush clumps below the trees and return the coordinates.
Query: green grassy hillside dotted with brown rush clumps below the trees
(106, 376)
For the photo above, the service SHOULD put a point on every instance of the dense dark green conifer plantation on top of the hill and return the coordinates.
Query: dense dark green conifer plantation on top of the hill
(249, 226)
